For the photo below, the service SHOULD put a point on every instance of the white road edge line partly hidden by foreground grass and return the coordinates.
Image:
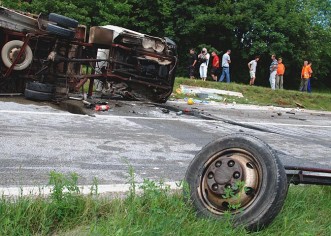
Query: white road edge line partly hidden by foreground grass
(84, 189)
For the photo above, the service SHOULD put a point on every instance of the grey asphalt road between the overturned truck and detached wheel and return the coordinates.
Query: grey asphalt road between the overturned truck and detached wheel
(37, 138)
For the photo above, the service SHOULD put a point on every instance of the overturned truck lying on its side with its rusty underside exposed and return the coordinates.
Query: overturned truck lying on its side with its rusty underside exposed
(48, 57)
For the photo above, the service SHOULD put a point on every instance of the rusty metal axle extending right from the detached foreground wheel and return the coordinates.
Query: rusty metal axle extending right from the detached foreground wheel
(308, 175)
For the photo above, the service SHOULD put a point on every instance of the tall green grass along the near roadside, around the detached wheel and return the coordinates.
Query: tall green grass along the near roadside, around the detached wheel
(156, 210)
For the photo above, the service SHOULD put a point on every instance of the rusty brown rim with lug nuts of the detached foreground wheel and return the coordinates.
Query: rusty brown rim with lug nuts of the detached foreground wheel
(230, 182)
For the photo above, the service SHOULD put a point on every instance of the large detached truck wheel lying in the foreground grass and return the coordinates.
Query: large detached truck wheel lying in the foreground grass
(238, 174)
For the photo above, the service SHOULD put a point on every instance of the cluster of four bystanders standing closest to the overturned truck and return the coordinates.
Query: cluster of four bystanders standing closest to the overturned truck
(202, 60)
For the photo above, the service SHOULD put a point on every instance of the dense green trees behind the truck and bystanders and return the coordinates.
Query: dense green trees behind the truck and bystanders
(292, 29)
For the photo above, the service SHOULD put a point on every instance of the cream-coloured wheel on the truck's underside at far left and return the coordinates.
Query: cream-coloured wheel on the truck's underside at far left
(10, 51)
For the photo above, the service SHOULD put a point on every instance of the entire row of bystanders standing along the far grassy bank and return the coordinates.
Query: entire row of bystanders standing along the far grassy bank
(277, 69)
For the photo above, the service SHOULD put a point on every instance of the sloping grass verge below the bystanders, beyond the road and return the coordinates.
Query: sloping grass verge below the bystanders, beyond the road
(257, 95)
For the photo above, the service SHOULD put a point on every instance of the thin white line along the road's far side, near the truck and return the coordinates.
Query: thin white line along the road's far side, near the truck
(110, 117)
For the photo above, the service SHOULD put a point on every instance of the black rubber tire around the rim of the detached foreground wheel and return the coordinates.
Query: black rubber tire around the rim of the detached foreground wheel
(269, 199)
